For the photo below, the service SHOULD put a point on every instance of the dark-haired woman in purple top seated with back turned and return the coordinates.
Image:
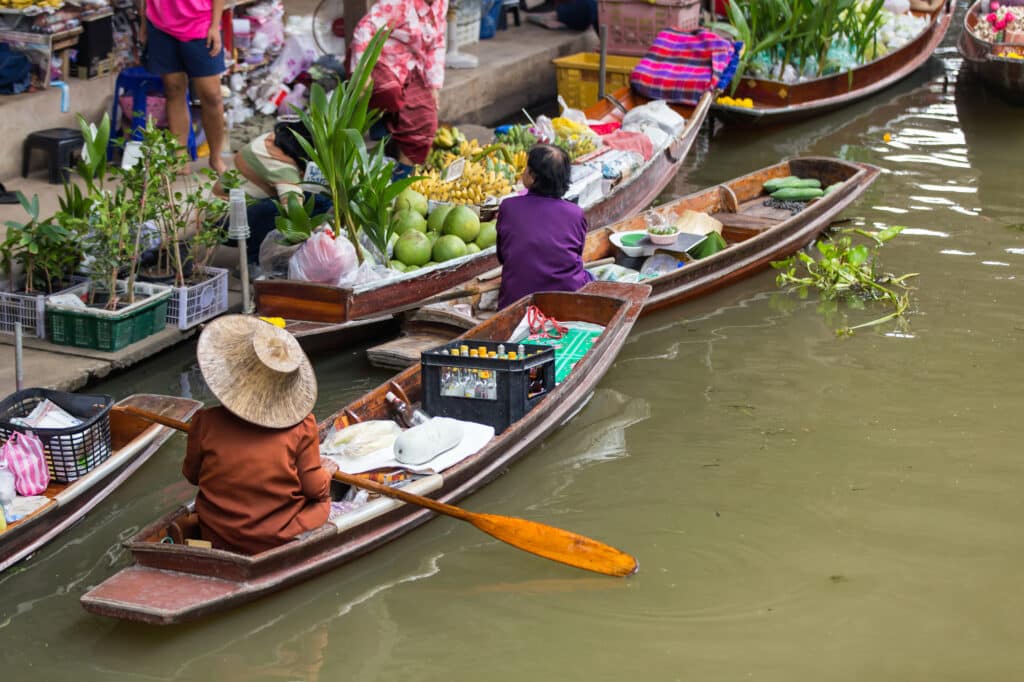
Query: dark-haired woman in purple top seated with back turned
(540, 235)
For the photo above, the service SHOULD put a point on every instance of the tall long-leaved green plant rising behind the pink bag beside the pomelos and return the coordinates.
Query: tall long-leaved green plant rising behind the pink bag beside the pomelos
(337, 124)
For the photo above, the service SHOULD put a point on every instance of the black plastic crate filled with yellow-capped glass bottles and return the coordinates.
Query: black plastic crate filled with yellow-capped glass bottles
(519, 385)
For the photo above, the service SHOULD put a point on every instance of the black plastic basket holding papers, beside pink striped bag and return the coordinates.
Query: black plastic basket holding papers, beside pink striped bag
(74, 452)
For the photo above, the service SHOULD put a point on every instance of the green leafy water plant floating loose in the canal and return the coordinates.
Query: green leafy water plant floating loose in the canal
(846, 272)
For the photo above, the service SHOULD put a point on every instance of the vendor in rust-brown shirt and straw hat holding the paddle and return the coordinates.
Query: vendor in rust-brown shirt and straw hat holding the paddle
(257, 458)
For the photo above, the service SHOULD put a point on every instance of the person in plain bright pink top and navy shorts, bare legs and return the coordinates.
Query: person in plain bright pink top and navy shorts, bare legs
(183, 41)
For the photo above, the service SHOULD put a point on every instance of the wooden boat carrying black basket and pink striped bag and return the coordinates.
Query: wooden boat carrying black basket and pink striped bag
(133, 441)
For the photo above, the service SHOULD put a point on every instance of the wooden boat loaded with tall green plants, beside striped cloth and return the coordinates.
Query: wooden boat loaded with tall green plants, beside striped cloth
(778, 103)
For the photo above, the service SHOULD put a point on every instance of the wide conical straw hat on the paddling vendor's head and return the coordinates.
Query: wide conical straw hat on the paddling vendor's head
(258, 371)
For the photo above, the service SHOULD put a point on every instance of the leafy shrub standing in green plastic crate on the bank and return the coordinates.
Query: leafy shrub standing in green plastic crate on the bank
(116, 312)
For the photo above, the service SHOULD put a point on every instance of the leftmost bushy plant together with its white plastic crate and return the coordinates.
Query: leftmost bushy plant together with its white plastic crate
(48, 255)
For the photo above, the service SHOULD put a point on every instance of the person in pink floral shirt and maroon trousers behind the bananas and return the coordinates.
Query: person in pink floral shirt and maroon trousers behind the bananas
(410, 74)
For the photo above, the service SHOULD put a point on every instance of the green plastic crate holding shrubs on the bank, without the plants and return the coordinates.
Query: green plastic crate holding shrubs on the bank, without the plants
(109, 330)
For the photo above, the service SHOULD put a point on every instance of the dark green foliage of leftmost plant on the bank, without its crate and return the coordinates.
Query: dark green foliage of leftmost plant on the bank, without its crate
(48, 251)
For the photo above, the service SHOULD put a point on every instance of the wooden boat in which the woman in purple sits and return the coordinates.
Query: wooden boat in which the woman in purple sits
(755, 235)
